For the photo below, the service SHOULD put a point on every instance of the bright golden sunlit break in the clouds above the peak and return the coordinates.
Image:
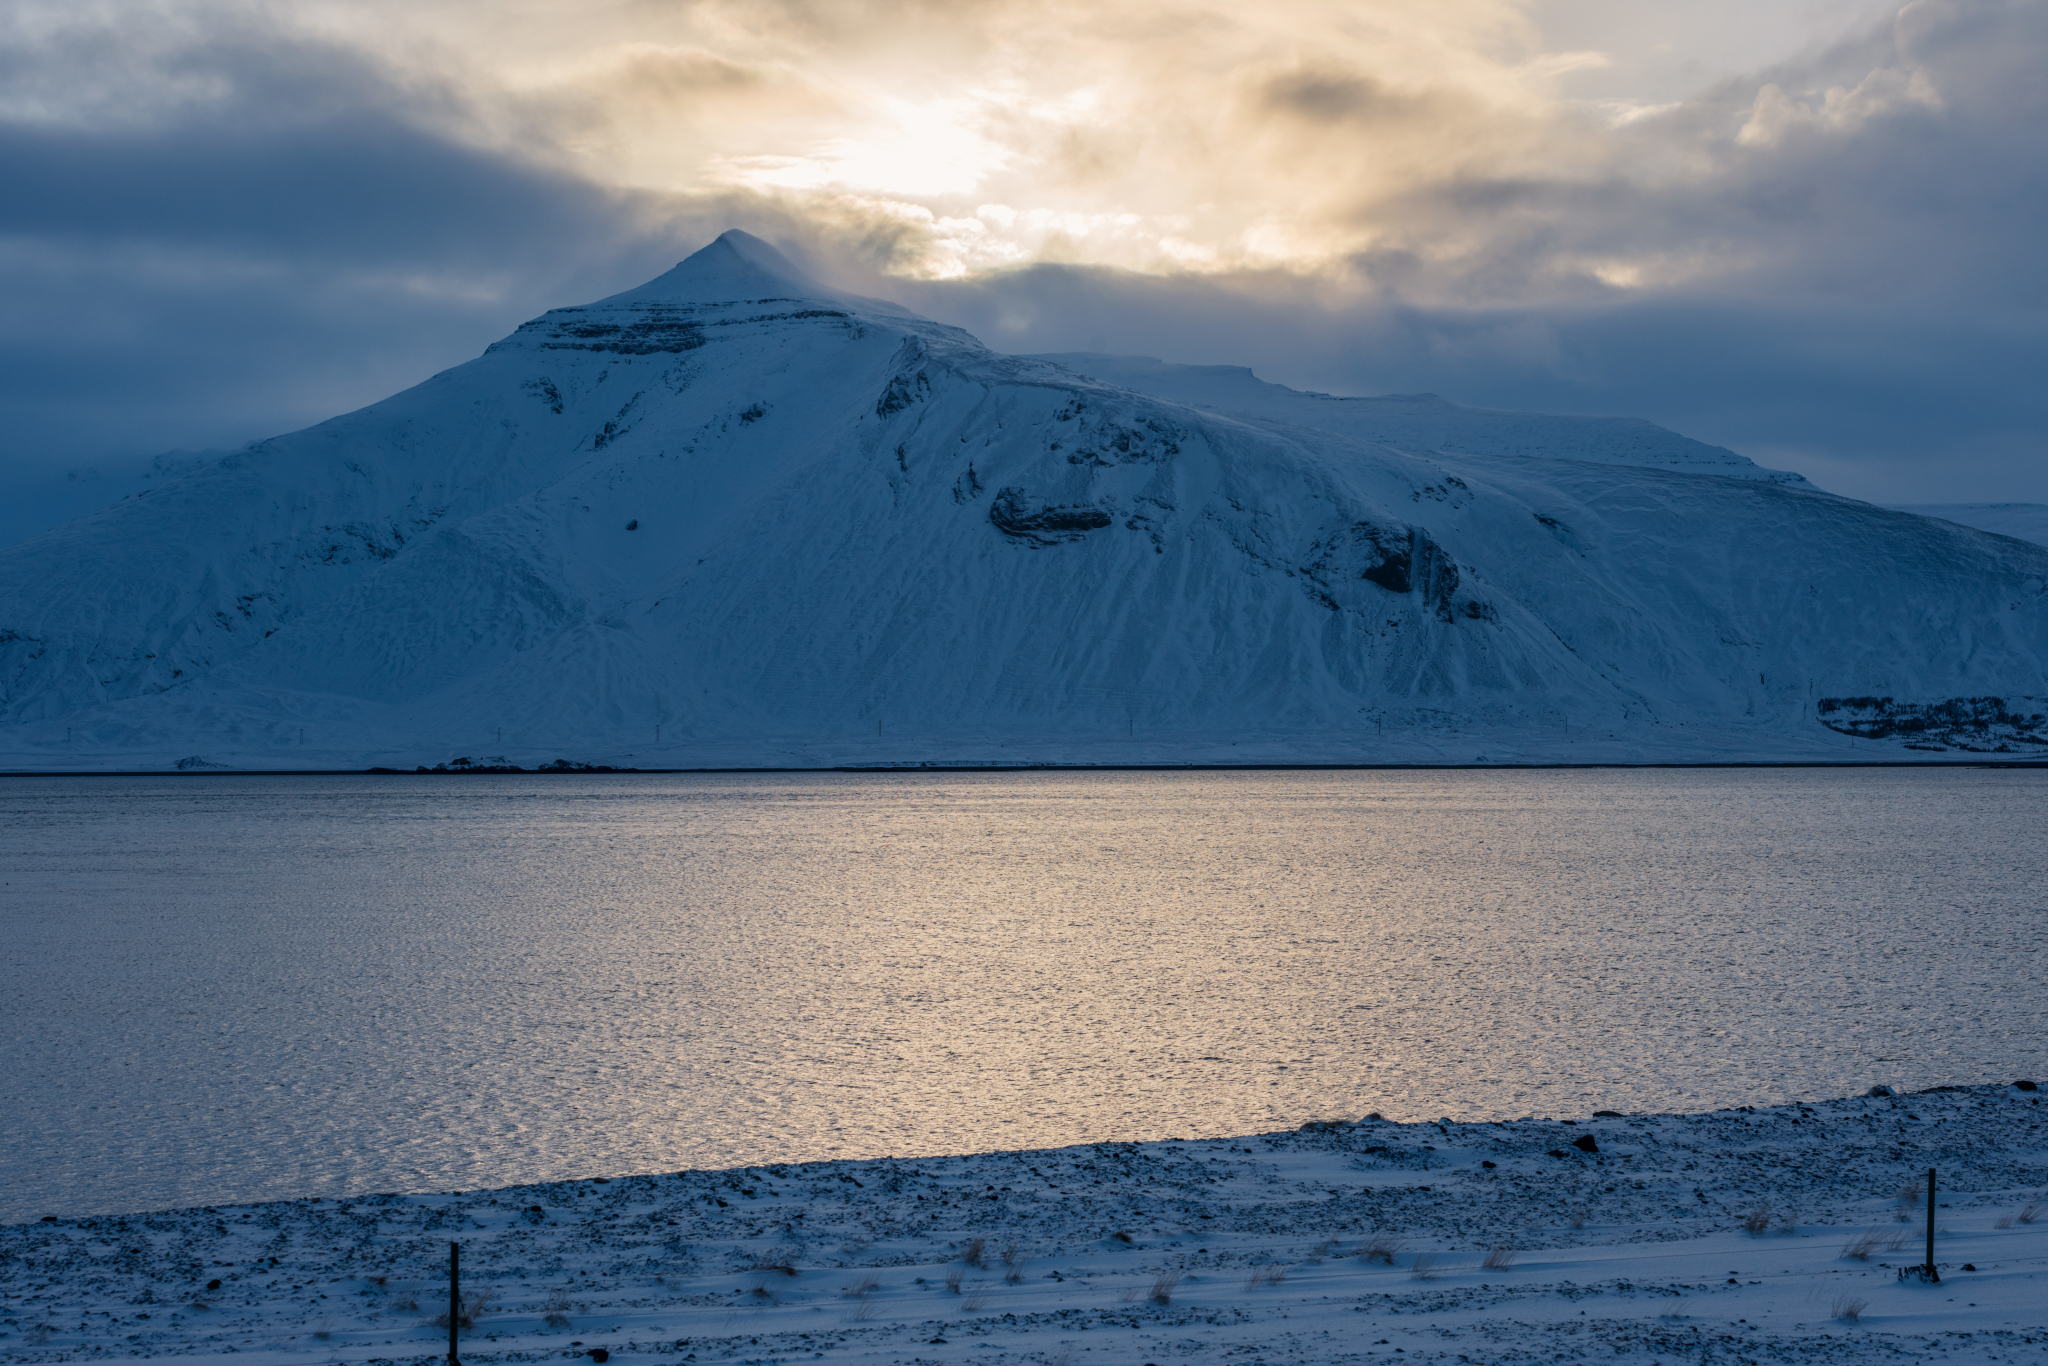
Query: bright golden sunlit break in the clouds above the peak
(1154, 136)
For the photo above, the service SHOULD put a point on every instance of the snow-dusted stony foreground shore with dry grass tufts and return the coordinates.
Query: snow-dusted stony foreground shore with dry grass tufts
(1746, 1236)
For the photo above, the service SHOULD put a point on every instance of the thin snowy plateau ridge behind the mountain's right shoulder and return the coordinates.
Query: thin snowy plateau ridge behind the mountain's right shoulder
(1424, 423)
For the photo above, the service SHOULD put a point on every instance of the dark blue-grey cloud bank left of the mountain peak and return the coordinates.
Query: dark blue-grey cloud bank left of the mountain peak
(216, 234)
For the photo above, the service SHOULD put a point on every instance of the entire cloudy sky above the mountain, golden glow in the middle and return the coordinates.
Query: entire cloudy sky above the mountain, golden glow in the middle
(1809, 230)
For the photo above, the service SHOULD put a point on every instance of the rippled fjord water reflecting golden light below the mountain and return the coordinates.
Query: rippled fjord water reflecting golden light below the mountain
(255, 988)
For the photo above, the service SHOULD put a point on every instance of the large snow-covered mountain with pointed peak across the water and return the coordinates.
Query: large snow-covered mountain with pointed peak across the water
(734, 517)
